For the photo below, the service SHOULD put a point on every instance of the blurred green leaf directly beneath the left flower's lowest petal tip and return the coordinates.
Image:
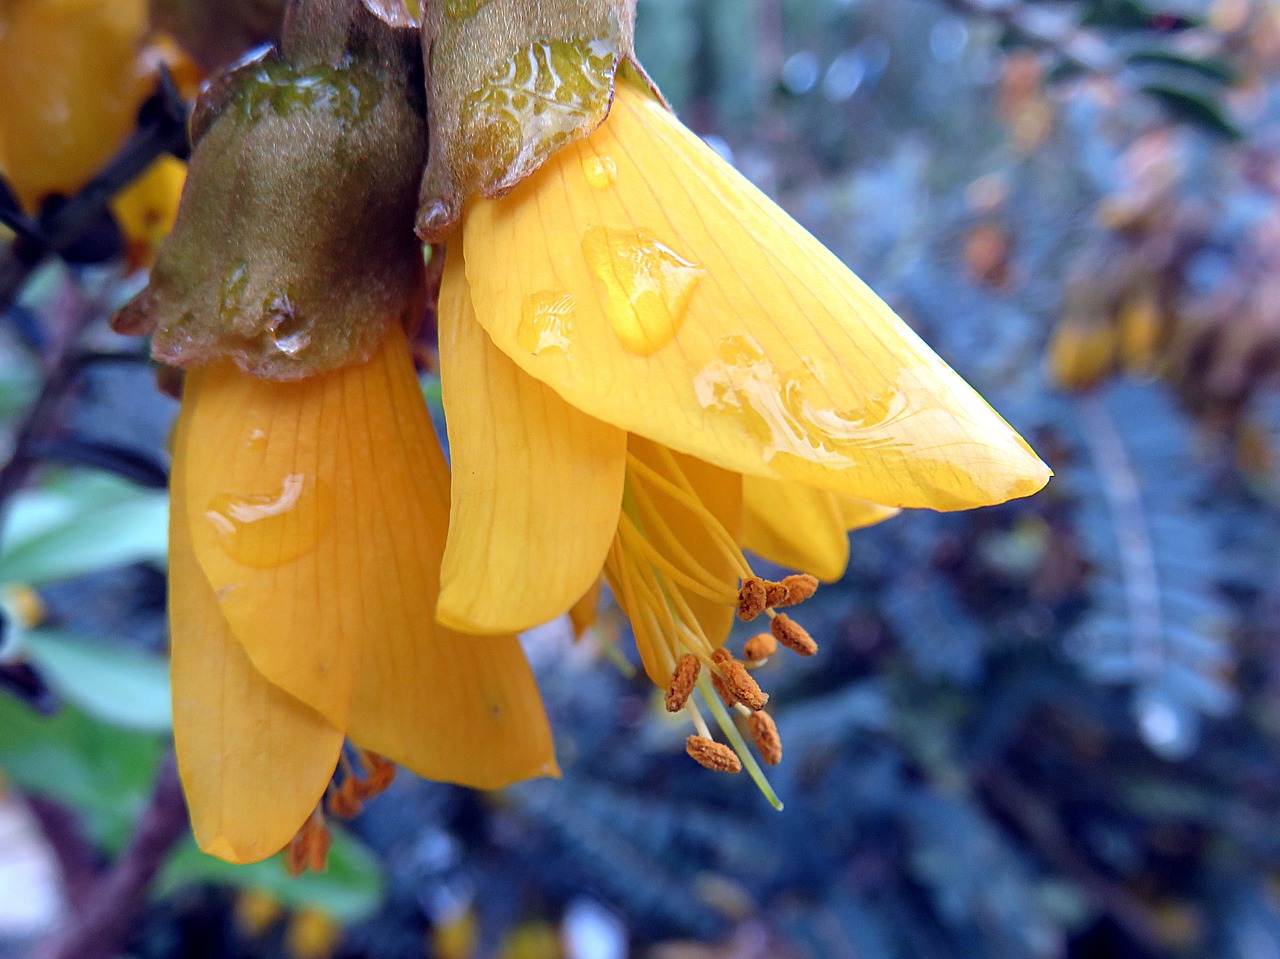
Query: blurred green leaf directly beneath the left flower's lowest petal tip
(350, 890)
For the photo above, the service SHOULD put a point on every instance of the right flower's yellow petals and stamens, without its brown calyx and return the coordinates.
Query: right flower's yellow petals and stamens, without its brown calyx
(647, 366)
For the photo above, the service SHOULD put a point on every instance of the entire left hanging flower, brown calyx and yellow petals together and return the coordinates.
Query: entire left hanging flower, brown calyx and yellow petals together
(310, 495)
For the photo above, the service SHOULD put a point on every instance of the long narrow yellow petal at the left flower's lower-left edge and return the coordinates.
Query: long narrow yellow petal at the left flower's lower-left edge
(254, 761)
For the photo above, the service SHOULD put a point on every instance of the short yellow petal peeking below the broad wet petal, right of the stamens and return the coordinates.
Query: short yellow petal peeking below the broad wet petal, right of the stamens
(804, 528)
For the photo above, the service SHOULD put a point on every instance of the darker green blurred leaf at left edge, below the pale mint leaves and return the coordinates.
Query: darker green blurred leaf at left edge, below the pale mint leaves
(102, 773)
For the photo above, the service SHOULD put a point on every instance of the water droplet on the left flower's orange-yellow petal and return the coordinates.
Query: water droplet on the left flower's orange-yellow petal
(271, 529)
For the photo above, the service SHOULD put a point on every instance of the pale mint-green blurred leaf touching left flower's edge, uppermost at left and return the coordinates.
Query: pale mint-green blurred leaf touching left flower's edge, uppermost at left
(83, 524)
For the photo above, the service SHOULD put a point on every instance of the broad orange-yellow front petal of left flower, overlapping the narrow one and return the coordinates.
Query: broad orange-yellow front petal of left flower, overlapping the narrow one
(326, 558)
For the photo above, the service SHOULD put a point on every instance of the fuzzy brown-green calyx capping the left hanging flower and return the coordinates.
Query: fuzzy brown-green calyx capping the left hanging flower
(294, 250)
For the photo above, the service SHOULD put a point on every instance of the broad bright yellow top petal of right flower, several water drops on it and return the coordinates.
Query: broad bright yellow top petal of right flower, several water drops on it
(698, 314)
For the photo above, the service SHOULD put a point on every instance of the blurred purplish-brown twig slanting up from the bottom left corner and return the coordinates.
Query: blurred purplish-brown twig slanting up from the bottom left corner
(100, 926)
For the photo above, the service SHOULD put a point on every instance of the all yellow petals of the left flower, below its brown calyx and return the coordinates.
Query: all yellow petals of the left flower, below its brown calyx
(308, 523)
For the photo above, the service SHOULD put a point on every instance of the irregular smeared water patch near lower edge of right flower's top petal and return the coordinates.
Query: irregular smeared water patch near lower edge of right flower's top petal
(776, 408)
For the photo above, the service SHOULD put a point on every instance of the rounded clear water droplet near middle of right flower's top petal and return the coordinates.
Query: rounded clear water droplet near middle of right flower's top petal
(648, 286)
